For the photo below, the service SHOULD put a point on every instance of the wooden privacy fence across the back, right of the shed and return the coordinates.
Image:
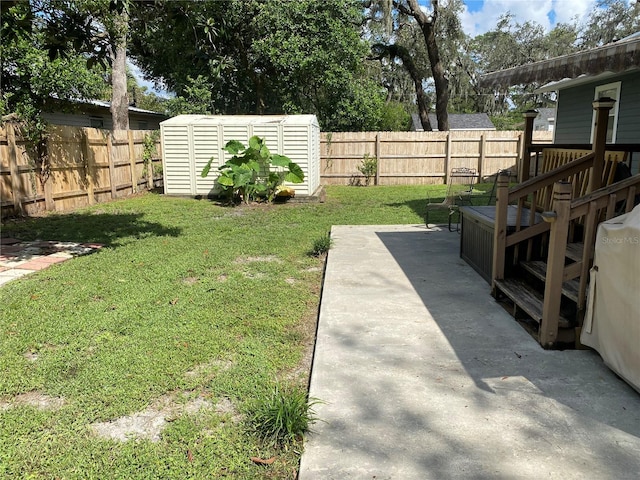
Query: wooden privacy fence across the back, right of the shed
(415, 158)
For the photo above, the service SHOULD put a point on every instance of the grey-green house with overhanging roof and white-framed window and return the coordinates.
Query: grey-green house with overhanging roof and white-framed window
(612, 70)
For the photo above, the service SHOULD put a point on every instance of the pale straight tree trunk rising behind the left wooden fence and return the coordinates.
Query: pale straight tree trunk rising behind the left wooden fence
(119, 95)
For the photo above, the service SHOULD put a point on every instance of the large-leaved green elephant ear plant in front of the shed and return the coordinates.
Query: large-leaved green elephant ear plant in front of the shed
(249, 175)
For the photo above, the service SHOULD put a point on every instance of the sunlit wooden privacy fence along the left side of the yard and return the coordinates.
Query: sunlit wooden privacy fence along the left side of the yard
(86, 166)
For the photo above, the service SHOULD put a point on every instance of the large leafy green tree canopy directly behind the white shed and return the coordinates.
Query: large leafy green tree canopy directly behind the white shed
(267, 57)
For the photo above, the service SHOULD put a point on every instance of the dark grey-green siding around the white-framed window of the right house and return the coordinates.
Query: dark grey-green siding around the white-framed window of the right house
(575, 112)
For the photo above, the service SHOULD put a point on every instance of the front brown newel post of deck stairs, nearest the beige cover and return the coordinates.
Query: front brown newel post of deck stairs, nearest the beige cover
(548, 334)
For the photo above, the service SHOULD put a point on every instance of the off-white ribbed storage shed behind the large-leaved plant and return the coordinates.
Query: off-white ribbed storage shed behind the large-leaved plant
(189, 141)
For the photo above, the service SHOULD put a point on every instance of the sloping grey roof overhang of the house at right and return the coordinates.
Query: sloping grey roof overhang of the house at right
(614, 57)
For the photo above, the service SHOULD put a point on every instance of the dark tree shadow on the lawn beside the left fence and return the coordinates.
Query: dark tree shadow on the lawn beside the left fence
(109, 229)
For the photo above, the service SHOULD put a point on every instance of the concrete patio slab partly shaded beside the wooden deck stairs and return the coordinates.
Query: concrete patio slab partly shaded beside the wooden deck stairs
(426, 377)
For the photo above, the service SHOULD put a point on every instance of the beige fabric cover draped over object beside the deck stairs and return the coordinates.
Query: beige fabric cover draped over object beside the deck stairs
(612, 322)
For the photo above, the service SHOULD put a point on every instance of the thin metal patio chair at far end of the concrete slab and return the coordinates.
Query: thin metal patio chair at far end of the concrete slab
(459, 189)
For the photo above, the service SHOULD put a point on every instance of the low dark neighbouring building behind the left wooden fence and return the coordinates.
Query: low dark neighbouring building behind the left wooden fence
(97, 114)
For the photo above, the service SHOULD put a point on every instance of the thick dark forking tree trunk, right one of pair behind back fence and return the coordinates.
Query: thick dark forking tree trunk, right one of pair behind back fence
(427, 25)
